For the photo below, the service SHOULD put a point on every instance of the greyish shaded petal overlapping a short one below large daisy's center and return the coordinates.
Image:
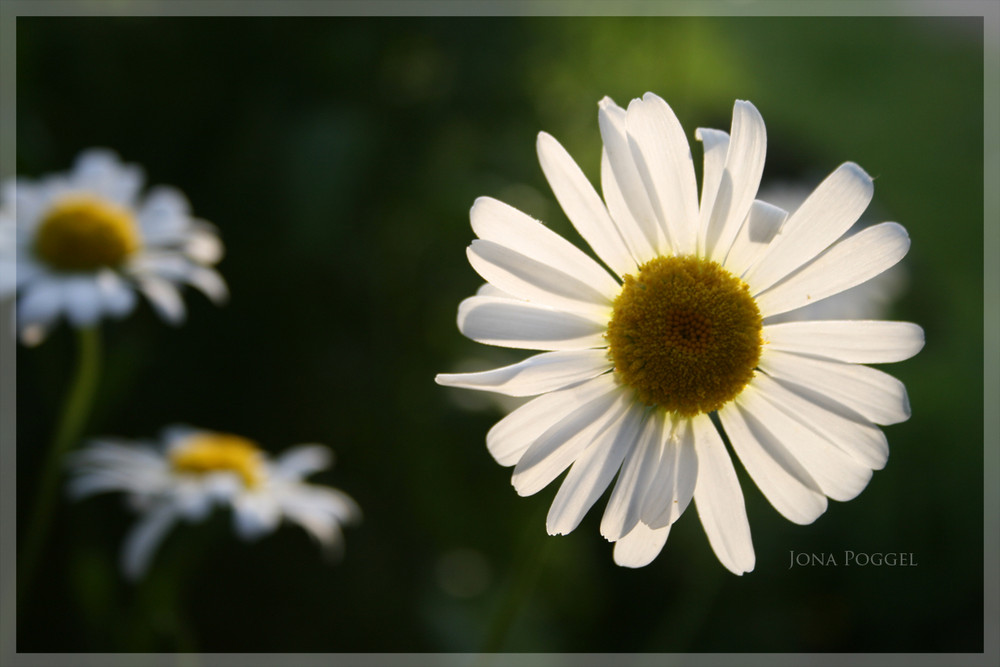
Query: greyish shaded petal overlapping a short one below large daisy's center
(672, 485)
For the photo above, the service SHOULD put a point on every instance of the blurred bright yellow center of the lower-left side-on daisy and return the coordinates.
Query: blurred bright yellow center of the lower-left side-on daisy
(216, 452)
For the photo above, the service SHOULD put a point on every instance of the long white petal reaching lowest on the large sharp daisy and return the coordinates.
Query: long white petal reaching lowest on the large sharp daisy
(719, 500)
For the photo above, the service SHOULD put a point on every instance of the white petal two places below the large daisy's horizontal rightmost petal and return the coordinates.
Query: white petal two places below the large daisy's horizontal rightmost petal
(846, 429)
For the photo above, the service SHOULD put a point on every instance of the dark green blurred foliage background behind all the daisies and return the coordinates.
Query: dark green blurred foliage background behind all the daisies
(339, 157)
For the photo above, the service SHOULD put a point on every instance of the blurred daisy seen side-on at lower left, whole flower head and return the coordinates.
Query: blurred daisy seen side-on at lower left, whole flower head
(193, 471)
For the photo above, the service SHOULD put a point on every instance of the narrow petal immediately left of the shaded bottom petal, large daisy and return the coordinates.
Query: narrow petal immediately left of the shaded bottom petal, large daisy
(623, 511)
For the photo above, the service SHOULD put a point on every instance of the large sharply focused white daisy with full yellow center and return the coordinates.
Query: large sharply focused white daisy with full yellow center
(644, 367)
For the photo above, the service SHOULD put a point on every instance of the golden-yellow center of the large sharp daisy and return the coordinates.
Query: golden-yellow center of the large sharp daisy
(685, 334)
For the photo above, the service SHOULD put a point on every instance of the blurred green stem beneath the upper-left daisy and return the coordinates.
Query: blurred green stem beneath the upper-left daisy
(74, 417)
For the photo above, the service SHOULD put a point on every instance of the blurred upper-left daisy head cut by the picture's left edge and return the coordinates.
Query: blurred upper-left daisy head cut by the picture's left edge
(87, 239)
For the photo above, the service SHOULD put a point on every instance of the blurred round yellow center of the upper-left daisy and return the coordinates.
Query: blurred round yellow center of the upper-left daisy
(83, 233)
